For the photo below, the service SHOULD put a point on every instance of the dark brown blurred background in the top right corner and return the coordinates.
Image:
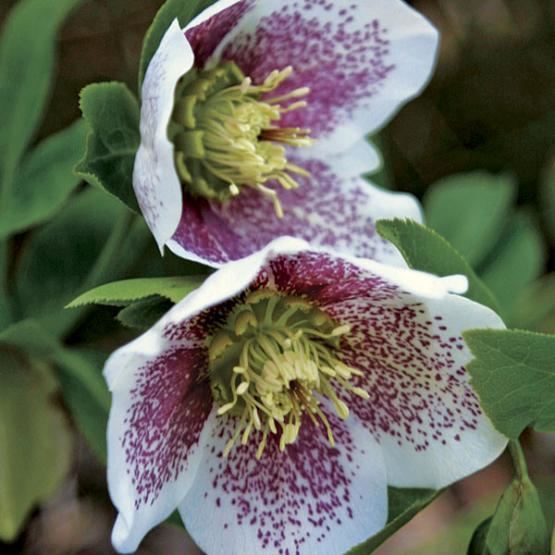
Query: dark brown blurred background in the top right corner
(491, 104)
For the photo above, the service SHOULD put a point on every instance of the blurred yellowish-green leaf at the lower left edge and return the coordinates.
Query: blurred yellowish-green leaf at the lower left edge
(35, 442)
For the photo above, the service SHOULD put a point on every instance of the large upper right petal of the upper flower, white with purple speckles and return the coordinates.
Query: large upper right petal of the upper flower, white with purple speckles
(361, 59)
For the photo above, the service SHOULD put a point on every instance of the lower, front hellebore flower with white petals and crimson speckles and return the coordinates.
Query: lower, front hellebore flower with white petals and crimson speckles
(273, 405)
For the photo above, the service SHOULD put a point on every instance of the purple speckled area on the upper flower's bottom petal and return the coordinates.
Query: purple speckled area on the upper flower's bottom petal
(326, 209)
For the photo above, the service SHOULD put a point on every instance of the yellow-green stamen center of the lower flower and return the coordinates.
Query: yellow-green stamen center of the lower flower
(275, 360)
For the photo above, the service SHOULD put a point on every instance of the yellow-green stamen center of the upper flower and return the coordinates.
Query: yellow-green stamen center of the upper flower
(225, 133)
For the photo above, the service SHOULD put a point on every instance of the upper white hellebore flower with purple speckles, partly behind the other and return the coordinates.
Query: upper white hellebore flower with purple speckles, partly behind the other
(253, 125)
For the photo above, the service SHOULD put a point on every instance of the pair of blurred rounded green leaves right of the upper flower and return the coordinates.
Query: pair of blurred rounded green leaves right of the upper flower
(476, 214)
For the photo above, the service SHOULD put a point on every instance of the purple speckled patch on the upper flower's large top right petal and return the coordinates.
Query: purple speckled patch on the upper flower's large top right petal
(344, 66)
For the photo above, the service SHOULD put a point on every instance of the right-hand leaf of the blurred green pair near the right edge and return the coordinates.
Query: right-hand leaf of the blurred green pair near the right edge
(517, 263)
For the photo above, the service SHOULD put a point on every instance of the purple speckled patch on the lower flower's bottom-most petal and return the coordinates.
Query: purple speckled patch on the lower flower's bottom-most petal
(284, 491)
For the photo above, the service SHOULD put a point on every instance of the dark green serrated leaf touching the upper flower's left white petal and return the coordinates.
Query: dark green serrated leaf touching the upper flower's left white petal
(112, 114)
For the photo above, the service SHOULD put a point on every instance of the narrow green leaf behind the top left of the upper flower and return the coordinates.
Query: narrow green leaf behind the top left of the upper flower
(171, 9)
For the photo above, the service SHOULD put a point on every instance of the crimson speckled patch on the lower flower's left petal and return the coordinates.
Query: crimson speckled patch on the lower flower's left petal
(163, 424)
